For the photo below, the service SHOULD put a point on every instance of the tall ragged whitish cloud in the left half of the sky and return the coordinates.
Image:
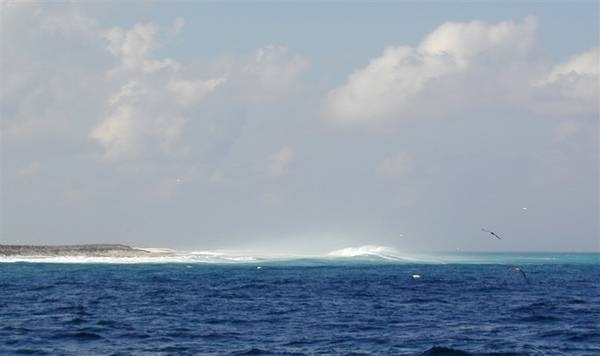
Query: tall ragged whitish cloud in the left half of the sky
(147, 112)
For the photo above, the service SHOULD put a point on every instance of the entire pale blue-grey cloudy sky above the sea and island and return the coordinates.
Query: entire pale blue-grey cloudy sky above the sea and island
(289, 127)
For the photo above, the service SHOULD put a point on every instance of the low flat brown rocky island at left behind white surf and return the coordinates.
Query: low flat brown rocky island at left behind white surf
(88, 250)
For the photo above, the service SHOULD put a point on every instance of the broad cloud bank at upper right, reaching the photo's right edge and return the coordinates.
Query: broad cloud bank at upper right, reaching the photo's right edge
(460, 66)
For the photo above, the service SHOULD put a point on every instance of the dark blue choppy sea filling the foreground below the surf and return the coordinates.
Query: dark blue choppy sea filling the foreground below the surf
(364, 308)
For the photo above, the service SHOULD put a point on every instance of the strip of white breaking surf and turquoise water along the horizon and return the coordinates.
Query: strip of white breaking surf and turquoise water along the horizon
(358, 254)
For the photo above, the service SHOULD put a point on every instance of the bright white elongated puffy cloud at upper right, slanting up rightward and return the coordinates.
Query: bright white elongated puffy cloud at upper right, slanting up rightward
(391, 84)
